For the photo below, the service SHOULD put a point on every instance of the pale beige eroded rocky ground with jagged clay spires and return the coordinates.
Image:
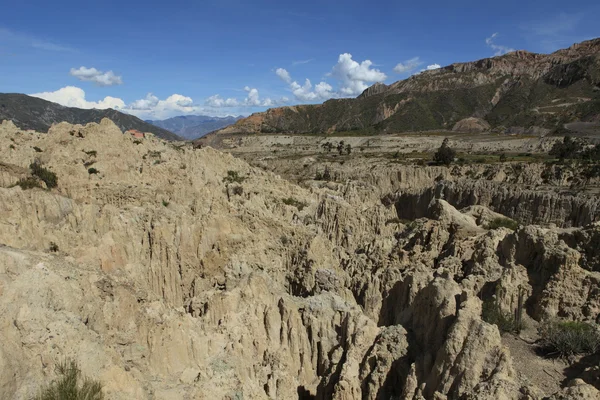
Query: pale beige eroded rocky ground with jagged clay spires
(172, 272)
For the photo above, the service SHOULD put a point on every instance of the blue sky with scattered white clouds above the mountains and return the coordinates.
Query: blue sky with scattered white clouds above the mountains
(233, 57)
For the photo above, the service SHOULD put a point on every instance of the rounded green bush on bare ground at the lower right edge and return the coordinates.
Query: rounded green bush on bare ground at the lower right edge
(568, 338)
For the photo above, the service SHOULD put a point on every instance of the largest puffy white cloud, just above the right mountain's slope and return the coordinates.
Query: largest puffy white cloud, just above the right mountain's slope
(353, 76)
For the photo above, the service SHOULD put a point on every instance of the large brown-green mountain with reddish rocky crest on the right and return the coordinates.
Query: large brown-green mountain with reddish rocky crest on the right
(516, 92)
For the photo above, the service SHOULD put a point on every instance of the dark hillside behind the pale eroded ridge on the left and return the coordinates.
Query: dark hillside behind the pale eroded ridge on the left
(37, 114)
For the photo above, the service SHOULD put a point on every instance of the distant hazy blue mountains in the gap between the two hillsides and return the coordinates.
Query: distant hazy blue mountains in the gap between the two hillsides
(194, 126)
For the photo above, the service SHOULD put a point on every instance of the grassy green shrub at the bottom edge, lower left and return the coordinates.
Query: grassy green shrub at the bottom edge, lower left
(70, 385)
